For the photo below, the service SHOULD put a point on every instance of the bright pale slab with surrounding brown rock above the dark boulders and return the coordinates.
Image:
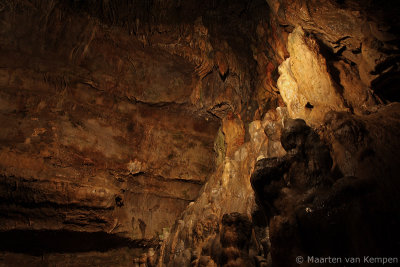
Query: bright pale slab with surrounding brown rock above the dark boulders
(339, 56)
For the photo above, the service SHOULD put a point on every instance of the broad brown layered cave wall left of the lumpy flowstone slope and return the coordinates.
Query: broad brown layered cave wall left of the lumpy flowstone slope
(110, 121)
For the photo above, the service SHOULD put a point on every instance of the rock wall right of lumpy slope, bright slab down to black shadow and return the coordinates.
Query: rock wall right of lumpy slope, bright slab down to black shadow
(334, 192)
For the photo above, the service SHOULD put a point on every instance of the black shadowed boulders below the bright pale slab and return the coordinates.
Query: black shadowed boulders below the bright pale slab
(318, 209)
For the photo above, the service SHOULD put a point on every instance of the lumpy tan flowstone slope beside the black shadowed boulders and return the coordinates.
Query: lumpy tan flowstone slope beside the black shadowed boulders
(227, 198)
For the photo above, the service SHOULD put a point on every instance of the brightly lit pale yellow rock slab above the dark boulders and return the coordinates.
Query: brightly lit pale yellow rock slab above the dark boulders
(305, 84)
